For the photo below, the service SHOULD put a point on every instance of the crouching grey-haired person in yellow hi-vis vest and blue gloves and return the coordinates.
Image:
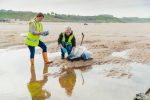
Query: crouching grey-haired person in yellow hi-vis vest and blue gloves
(67, 42)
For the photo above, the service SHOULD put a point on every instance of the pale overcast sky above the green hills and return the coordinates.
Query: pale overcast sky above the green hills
(118, 8)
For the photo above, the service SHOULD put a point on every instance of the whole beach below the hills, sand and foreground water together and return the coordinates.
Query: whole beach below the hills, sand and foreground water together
(121, 63)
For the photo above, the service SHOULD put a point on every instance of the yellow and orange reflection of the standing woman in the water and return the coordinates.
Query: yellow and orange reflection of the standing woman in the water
(35, 86)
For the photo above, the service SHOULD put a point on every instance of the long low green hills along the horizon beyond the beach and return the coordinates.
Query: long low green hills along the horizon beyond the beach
(54, 17)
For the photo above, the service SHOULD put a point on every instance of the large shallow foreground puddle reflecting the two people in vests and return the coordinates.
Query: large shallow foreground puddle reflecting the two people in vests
(20, 81)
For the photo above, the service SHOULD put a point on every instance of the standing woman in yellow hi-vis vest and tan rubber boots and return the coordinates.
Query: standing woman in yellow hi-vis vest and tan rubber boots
(33, 38)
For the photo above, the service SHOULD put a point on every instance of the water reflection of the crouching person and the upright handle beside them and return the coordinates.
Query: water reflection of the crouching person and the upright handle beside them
(67, 77)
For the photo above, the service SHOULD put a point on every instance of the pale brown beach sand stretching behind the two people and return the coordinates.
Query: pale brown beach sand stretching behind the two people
(100, 38)
